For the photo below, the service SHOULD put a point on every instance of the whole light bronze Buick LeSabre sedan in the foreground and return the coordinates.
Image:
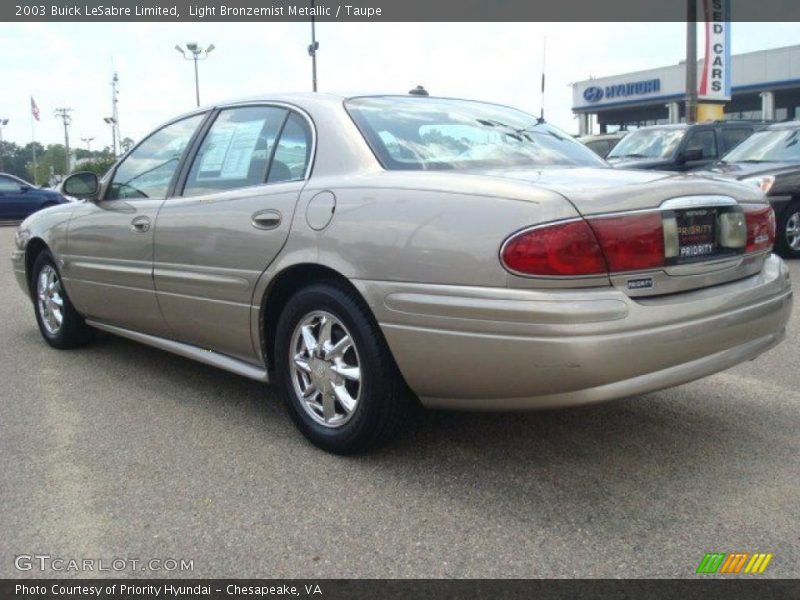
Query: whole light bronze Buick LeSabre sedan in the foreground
(352, 248)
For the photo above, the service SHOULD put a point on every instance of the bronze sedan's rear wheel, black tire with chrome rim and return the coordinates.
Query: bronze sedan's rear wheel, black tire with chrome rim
(335, 372)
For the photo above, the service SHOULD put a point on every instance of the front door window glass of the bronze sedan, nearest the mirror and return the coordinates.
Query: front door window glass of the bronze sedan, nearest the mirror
(148, 171)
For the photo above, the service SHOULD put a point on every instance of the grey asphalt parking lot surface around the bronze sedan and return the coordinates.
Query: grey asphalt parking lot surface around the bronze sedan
(121, 450)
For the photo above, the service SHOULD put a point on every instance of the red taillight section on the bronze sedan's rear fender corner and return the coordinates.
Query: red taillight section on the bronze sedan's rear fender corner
(567, 248)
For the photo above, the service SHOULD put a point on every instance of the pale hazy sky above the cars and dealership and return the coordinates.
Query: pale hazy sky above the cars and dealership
(71, 65)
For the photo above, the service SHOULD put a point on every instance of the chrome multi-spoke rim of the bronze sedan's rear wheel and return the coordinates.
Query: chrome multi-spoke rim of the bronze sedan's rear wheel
(325, 368)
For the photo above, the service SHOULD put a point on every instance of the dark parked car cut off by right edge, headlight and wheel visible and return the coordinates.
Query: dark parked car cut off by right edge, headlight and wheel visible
(771, 159)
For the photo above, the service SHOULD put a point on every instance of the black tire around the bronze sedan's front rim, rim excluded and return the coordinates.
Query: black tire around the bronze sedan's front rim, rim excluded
(73, 331)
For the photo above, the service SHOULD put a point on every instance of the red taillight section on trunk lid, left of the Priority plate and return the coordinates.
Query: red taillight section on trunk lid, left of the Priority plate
(631, 242)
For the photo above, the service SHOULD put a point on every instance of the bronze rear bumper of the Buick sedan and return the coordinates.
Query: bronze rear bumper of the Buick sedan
(499, 349)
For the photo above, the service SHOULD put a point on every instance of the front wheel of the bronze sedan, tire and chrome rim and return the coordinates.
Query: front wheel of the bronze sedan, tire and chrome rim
(60, 325)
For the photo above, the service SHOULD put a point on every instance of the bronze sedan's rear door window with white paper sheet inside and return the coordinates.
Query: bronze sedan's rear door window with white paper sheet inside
(236, 151)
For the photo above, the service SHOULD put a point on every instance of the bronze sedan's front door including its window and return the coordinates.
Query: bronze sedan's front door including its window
(108, 266)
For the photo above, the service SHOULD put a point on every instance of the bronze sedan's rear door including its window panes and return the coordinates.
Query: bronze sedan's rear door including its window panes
(214, 240)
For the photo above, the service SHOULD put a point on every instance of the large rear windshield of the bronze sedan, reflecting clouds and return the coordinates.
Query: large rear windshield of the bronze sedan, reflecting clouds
(431, 133)
